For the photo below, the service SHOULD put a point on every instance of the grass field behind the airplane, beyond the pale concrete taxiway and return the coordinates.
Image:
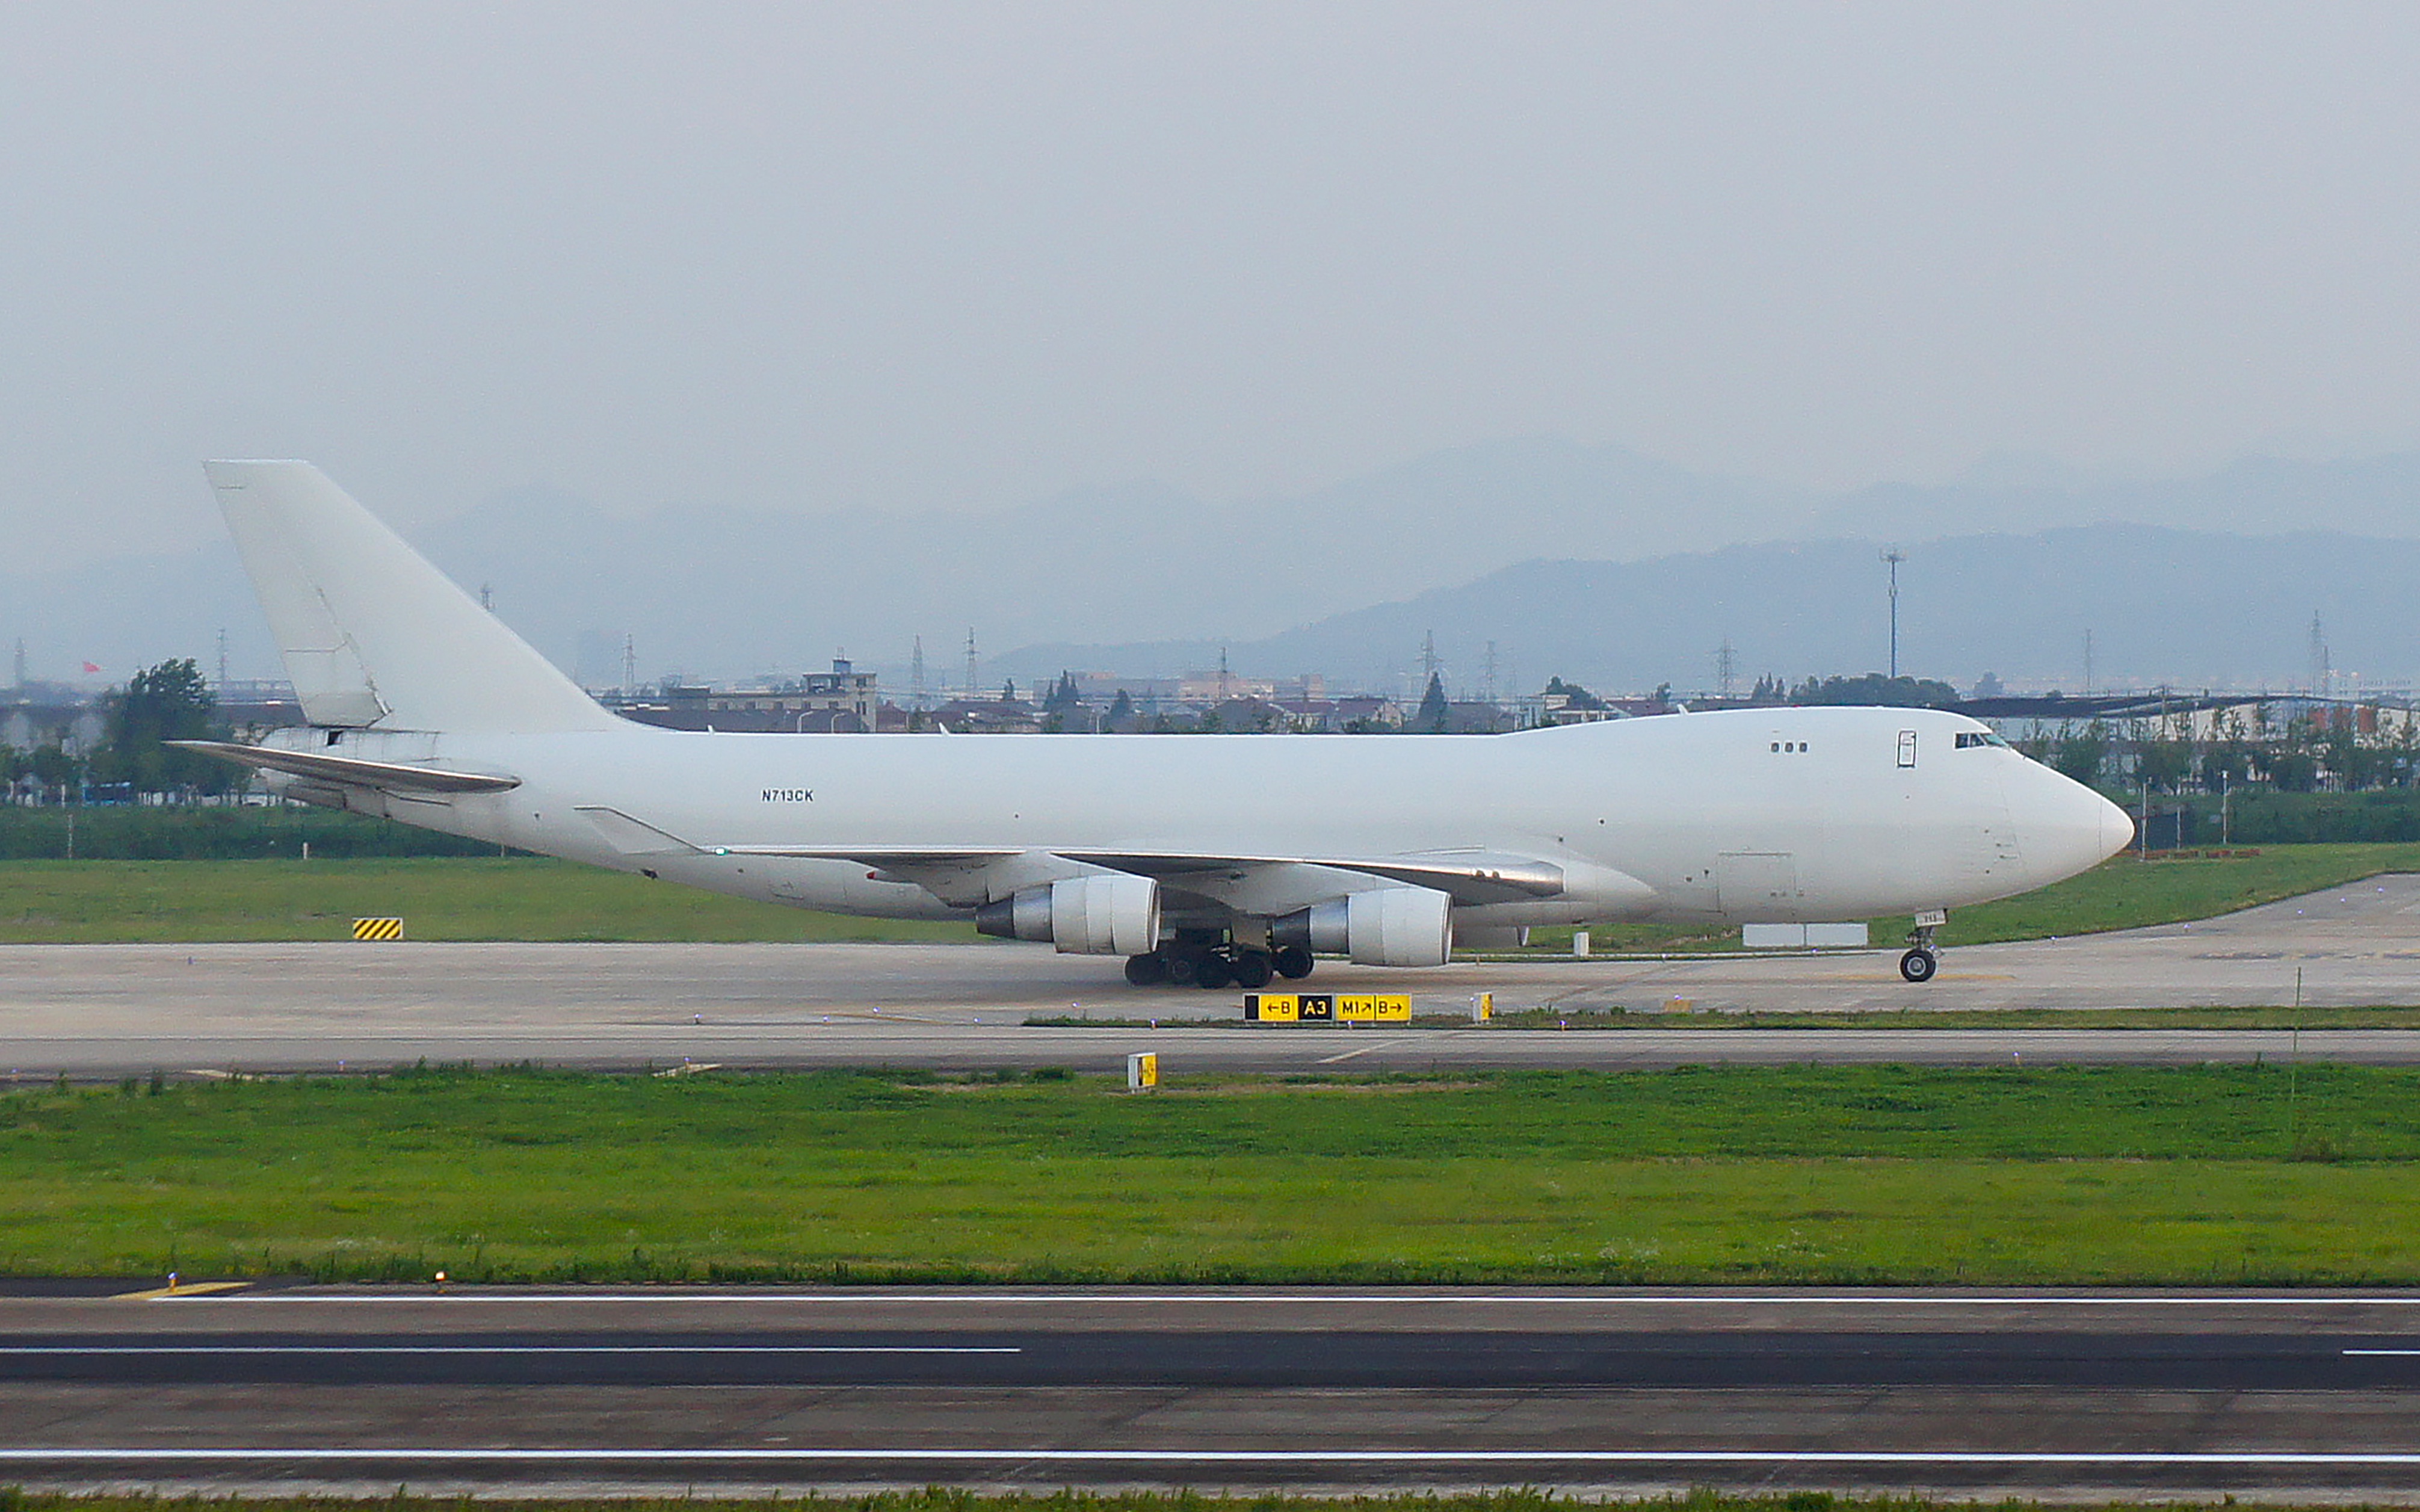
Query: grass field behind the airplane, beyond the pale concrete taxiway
(555, 901)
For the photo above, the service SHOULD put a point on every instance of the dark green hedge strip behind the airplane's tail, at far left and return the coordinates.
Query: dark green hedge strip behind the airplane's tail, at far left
(214, 833)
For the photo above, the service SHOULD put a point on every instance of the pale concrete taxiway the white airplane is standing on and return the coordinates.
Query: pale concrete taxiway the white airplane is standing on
(132, 1010)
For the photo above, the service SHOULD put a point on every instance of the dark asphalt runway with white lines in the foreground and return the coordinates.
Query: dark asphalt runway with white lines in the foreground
(1320, 1390)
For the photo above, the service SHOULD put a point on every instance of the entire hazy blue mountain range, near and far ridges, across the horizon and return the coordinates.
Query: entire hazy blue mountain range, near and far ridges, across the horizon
(1579, 560)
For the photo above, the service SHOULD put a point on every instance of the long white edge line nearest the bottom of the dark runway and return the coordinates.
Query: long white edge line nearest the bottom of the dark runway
(1540, 1458)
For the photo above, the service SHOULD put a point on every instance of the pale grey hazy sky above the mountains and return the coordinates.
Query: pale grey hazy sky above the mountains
(952, 258)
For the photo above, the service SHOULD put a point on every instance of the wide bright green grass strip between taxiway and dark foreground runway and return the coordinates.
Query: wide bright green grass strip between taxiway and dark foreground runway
(1790, 1175)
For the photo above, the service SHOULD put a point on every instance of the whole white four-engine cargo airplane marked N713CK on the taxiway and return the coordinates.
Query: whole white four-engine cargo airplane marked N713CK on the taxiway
(1197, 860)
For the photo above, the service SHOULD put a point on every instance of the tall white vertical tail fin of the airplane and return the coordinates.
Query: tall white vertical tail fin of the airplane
(371, 633)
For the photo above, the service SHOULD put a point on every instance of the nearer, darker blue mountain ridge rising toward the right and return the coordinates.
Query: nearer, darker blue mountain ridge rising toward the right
(2162, 606)
